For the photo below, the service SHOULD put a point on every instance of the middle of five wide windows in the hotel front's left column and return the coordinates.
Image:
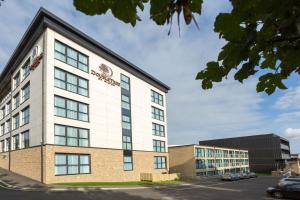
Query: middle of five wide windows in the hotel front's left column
(70, 109)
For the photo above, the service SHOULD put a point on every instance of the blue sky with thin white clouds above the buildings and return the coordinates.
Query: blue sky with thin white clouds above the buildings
(229, 109)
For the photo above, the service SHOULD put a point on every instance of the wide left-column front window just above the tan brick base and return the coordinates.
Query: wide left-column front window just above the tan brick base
(71, 136)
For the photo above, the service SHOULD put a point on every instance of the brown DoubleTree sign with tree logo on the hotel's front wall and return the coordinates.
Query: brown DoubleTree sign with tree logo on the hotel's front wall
(105, 74)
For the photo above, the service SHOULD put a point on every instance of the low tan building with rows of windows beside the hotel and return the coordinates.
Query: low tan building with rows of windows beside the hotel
(198, 160)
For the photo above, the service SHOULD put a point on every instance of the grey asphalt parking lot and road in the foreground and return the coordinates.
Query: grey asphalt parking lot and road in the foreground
(208, 188)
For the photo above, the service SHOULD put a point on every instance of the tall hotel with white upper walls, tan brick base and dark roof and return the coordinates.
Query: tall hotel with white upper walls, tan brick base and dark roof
(72, 110)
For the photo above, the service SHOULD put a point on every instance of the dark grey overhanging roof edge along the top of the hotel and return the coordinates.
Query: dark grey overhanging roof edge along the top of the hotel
(44, 19)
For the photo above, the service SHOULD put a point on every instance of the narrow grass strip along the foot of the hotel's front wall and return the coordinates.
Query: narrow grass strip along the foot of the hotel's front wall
(121, 184)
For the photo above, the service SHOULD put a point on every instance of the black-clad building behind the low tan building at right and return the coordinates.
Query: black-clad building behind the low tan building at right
(267, 152)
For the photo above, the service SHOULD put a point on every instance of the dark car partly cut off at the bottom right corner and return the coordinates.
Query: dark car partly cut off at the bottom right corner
(291, 191)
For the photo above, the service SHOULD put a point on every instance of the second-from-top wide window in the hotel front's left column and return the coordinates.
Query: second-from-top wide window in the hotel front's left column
(70, 82)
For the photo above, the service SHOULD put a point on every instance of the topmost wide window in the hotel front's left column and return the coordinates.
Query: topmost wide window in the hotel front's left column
(71, 56)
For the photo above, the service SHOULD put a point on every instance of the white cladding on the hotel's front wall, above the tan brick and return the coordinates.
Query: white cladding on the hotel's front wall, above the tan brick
(104, 102)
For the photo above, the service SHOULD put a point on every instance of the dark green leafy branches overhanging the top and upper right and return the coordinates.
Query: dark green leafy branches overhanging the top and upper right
(261, 35)
